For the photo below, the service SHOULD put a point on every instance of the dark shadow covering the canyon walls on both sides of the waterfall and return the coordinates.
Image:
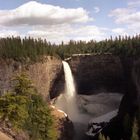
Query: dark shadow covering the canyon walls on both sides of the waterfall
(106, 73)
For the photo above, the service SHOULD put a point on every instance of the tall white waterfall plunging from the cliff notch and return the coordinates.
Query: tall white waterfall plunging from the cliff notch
(70, 92)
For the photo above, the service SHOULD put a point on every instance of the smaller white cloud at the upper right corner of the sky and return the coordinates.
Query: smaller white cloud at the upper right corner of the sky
(129, 17)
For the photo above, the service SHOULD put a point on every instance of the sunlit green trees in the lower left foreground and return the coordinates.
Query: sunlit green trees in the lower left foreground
(26, 111)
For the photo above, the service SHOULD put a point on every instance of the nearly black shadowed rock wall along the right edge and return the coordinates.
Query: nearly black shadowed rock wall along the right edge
(130, 104)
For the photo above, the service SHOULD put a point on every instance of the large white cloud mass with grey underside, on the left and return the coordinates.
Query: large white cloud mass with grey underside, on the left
(50, 22)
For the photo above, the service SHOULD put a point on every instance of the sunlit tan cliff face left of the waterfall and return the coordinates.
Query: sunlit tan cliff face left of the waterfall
(42, 73)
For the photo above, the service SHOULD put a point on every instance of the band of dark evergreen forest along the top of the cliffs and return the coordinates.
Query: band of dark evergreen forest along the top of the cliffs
(33, 49)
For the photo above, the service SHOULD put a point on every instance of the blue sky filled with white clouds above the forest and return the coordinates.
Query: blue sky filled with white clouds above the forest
(64, 20)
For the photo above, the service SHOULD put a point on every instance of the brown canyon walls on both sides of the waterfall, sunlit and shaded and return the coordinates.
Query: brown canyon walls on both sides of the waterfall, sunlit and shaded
(93, 74)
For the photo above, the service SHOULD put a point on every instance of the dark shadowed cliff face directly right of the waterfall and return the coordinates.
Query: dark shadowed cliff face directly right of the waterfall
(97, 73)
